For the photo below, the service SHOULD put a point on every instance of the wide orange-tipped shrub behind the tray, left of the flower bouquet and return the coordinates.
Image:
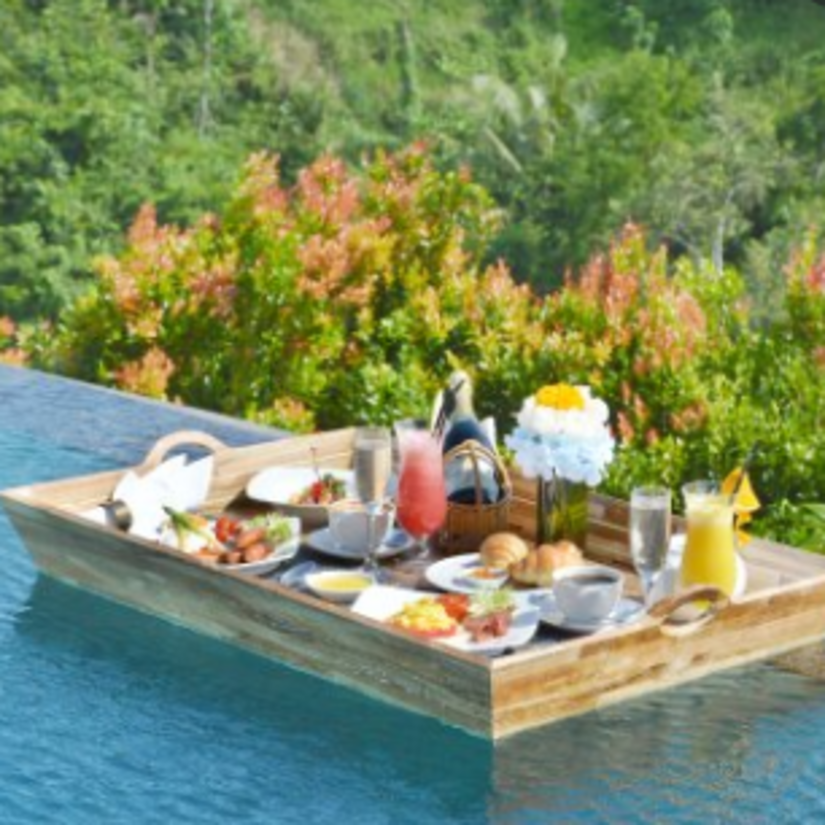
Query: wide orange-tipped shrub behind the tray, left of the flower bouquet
(344, 298)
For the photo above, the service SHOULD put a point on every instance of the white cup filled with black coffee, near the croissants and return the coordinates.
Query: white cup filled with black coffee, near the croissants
(587, 594)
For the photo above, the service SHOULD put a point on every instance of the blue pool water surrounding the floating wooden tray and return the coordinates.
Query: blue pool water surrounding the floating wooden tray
(111, 716)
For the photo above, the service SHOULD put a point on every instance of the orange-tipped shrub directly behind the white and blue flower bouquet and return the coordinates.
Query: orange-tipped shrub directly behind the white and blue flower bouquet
(627, 328)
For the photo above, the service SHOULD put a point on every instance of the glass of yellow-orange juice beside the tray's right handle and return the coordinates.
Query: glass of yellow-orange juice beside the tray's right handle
(710, 548)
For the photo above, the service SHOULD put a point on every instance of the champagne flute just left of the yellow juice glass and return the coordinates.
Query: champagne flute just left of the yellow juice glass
(649, 533)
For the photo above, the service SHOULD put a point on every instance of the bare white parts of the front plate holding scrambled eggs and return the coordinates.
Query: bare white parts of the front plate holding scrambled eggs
(382, 601)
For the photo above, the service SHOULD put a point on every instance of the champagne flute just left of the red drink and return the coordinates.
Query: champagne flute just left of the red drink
(373, 467)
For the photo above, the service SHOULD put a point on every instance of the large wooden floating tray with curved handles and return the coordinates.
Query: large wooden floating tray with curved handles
(783, 608)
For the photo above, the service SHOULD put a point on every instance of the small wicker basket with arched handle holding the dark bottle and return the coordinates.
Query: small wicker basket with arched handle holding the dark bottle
(467, 525)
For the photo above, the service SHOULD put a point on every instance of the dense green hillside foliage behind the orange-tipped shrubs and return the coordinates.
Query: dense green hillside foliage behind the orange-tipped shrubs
(699, 119)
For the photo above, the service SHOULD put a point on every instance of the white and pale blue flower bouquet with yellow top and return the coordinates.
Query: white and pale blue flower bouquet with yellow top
(562, 432)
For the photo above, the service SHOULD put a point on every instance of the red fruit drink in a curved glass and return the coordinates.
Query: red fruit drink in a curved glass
(422, 497)
